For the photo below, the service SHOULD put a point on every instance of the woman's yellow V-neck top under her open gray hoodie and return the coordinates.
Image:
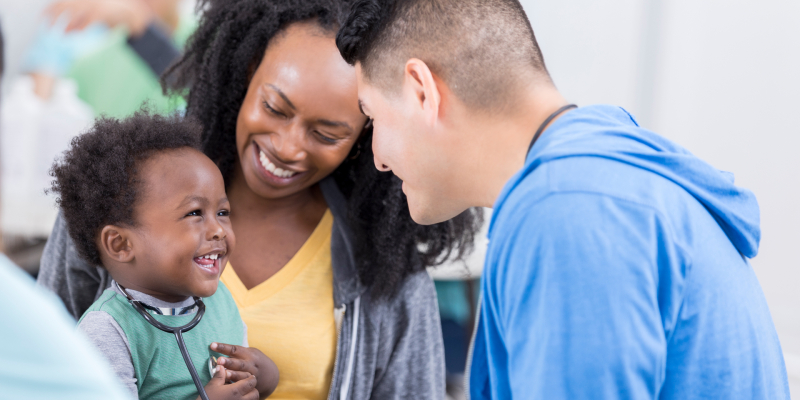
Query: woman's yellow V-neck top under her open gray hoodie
(290, 317)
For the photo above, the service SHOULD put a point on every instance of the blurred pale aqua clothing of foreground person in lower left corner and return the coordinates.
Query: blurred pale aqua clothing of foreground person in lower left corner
(45, 357)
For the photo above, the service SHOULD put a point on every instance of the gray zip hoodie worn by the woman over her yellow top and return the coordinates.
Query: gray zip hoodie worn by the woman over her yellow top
(388, 348)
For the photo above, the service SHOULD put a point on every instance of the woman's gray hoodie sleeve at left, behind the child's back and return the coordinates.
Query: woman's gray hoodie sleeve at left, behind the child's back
(65, 273)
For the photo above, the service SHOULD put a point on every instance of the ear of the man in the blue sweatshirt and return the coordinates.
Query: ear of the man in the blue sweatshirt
(424, 87)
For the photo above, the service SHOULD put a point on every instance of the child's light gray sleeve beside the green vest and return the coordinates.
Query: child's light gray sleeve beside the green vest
(101, 328)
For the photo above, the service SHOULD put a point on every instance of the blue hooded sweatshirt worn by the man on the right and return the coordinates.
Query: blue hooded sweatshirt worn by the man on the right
(617, 269)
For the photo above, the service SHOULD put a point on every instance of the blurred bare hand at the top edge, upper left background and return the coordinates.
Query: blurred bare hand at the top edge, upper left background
(135, 15)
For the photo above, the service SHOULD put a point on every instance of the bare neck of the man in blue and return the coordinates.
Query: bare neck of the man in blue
(507, 145)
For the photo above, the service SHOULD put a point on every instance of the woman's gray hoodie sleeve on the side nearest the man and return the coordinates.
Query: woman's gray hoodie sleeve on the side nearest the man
(410, 347)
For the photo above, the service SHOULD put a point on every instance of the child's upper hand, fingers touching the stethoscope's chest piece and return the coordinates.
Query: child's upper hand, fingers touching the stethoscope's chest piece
(249, 360)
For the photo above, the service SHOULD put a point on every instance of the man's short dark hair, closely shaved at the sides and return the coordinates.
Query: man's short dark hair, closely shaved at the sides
(480, 48)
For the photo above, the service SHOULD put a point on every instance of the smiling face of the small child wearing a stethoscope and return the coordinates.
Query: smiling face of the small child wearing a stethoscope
(183, 235)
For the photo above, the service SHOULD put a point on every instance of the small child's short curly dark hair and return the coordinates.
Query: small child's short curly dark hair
(96, 179)
